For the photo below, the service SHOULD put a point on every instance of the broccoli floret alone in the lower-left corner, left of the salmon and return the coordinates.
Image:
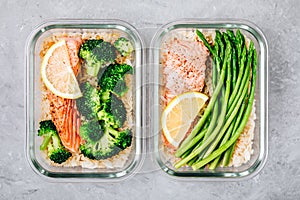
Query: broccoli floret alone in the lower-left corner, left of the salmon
(56, 151)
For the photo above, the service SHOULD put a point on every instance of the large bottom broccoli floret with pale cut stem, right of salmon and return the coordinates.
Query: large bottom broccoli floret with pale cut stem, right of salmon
(110, 144)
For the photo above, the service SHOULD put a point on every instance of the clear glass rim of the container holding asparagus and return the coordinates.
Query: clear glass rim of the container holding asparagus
(214, 24)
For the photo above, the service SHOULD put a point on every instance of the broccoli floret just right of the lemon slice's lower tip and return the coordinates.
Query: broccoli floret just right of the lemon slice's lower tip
(89, 104)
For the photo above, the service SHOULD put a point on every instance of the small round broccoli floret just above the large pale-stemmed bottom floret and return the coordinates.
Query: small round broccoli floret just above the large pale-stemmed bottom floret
(91, 131)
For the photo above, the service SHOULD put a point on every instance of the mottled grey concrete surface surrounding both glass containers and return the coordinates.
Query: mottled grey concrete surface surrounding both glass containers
(279, 20)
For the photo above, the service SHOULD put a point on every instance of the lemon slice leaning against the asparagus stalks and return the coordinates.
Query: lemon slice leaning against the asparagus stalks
(179, 114)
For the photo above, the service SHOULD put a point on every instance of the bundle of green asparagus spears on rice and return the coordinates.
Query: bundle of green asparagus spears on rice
(192, 157)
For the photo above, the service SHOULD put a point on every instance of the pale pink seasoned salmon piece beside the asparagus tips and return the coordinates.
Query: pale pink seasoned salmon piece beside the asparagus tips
(183, 67)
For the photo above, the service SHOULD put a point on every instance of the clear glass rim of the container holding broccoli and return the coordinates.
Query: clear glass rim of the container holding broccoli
(75, 23)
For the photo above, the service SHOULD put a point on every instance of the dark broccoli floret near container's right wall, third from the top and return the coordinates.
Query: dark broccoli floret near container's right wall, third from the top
(112, 79)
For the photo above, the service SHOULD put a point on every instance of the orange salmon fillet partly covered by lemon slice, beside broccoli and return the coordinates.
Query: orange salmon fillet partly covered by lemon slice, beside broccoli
(63, 111)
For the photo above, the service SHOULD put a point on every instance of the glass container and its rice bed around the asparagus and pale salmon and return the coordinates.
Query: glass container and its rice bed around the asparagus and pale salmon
(185, 30)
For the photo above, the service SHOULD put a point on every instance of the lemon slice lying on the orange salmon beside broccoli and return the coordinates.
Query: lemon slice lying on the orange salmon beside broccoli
(57, 72)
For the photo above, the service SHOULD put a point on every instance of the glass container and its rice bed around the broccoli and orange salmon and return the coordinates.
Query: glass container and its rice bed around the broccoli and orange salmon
(117, 167)
